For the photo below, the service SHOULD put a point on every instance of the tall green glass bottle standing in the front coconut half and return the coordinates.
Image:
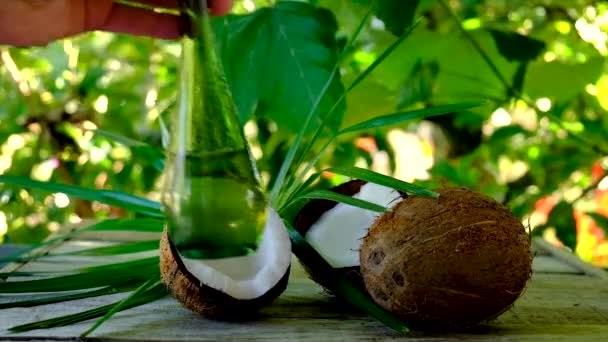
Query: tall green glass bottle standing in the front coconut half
(212, 198)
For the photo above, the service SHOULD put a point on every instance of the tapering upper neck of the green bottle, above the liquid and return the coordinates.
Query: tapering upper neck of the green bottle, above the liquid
(206, 112)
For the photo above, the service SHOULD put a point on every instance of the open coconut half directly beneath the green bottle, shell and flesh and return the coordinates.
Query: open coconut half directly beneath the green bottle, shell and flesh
(230, 288)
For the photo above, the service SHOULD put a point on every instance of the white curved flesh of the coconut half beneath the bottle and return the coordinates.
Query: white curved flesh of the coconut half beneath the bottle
(251, 276)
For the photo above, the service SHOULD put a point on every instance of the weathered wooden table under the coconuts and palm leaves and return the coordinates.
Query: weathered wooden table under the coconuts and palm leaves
(566, 300)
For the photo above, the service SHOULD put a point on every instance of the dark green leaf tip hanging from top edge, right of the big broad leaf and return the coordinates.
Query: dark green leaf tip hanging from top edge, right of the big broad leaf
(397, 15)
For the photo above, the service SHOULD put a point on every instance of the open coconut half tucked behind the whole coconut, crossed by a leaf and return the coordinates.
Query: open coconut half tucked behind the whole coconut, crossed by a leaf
(336, 230)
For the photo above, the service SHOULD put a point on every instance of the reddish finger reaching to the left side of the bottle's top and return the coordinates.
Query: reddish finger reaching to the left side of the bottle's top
(141, 22)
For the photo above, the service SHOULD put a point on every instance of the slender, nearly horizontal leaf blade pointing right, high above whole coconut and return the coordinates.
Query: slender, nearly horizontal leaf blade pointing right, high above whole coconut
(399, 117)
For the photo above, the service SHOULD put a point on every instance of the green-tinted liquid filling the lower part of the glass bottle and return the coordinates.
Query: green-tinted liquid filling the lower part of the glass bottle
(216, 215)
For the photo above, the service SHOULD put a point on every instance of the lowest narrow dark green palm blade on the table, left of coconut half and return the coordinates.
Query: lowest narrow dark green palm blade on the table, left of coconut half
(155, 293)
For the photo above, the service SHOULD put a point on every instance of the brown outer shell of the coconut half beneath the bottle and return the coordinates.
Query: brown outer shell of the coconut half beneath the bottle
(205, 300)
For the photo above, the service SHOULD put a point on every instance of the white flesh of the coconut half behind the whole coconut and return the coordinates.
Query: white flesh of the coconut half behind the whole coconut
(338, 233)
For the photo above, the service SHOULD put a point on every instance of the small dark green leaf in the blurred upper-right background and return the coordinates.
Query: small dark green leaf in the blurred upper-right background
(517, 47)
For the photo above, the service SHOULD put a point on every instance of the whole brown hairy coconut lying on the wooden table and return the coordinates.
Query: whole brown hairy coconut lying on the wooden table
(460, 259)
